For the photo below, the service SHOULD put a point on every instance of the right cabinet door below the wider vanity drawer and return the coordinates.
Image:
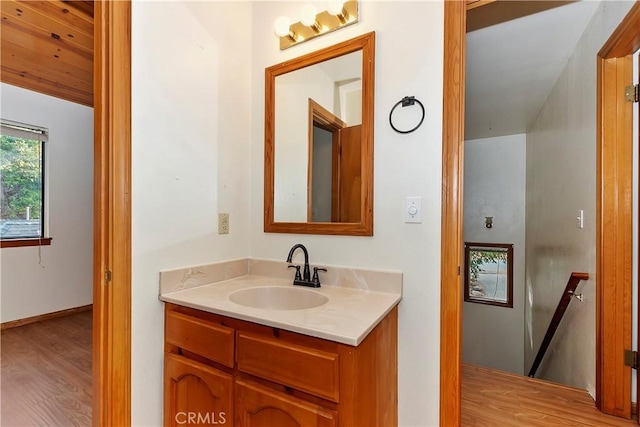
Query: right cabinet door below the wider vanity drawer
(259, 406)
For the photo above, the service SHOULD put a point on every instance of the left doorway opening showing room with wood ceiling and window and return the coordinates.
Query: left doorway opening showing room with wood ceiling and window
(47, 98)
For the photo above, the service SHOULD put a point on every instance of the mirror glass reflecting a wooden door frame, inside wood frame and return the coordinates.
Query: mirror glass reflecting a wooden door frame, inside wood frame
(318, 112)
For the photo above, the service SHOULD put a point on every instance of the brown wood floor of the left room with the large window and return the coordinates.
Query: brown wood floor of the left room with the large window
(45, 373)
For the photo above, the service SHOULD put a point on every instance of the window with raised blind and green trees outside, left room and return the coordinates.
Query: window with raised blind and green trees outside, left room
(22, 203)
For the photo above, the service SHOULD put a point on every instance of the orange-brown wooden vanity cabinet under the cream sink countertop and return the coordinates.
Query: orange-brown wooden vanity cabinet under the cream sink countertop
(231, 372)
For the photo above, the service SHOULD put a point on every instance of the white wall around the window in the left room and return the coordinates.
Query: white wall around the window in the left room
(42, 280)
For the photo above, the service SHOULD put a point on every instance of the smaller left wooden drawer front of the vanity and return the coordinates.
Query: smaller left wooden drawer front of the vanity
(215, 342)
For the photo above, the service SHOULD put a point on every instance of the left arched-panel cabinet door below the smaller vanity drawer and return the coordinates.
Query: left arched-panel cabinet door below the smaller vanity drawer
(196, 394)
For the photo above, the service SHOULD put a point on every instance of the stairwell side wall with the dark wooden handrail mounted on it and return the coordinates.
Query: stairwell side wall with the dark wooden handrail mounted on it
(565, 134)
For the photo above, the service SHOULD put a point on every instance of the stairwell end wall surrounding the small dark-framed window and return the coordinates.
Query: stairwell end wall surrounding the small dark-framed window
(494, 185)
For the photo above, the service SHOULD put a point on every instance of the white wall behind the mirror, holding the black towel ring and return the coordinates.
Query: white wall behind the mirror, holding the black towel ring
(409, 51)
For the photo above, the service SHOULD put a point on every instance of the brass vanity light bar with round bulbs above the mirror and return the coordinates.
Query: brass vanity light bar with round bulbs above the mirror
(338, 14)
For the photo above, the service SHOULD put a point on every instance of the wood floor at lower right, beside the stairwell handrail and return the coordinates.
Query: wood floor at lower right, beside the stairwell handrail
(492, 398)
